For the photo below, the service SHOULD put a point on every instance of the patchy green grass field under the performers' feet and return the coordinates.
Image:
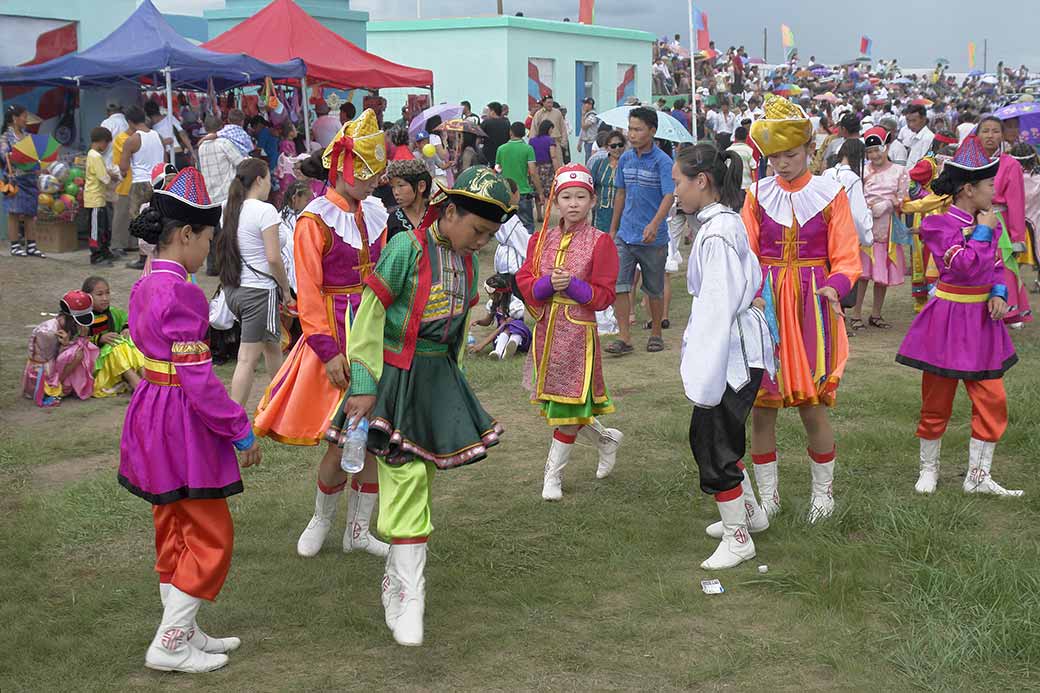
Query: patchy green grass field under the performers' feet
(597, 593)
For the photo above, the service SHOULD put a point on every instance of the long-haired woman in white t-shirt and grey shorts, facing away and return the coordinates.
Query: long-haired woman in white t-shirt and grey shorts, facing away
(252, 272)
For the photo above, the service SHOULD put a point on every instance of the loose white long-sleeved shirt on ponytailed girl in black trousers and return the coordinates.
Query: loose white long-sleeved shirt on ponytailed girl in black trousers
(726, 337)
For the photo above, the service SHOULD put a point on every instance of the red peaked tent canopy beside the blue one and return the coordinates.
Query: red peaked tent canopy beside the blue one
(283, 31)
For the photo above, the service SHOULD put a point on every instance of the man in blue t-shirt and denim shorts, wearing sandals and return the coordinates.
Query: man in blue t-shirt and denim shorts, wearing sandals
(641, 206)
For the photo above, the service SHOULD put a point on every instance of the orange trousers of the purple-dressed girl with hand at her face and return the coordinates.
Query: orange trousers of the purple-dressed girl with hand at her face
(990, 407)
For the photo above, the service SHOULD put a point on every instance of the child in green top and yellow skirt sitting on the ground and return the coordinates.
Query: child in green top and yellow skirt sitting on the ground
(119, 364)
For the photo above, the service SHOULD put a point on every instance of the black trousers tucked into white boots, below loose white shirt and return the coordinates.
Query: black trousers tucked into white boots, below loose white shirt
(717, 437)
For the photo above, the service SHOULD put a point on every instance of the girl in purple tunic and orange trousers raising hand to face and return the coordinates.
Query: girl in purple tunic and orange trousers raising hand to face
(959, 336)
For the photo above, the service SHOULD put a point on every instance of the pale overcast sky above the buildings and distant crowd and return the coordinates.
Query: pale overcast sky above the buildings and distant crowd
(915, 32)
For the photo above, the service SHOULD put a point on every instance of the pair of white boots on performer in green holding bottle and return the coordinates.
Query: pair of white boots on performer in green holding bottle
(405, 593)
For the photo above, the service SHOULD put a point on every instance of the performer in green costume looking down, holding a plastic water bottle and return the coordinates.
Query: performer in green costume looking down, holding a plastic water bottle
(407, 341)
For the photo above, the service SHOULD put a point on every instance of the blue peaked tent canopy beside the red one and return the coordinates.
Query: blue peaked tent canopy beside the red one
(146, 45)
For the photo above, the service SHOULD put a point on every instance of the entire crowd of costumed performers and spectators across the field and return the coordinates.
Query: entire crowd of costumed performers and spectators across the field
(352, 270)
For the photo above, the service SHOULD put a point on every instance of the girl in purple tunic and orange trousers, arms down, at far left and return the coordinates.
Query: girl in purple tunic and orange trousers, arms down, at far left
(183, 431)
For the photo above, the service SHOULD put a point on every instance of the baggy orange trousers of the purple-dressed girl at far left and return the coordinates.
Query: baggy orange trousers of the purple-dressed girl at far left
(194, 540)
